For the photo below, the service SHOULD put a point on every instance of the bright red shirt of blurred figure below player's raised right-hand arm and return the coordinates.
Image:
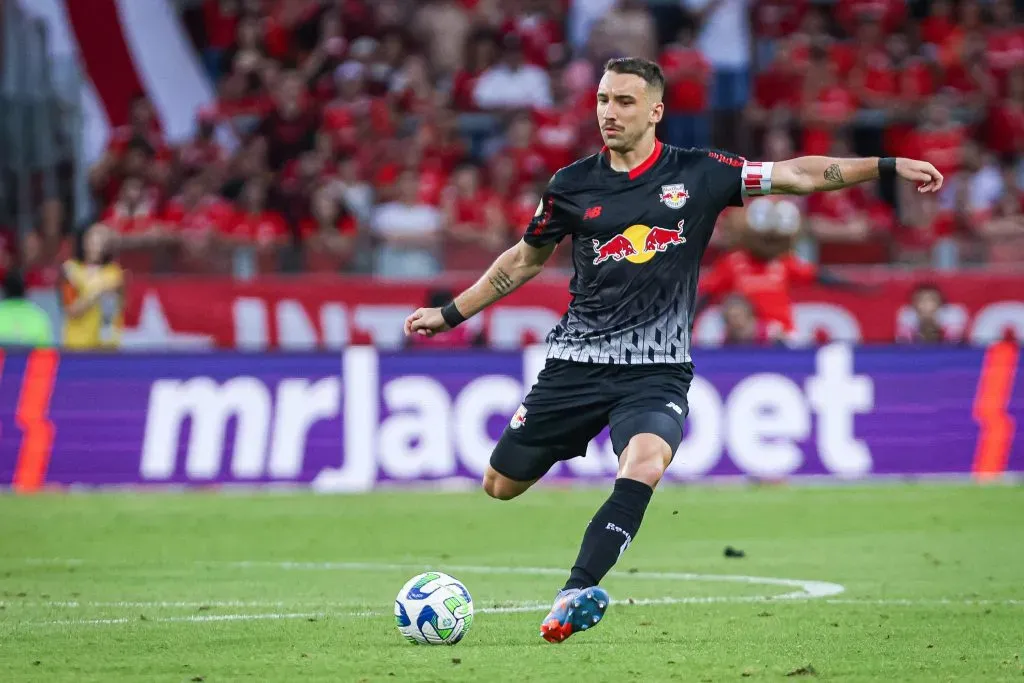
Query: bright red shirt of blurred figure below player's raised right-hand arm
(765, 284)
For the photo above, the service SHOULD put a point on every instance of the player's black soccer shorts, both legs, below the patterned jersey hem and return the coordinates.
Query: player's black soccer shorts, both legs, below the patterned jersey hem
(572, 403)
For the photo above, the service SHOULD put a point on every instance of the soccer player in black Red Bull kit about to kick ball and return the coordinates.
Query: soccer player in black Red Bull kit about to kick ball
(639, 215)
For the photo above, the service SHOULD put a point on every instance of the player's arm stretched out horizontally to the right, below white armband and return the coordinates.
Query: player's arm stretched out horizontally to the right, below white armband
(813, 175)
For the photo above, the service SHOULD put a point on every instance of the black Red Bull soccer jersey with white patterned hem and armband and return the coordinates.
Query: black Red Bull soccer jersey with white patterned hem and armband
(637, 243)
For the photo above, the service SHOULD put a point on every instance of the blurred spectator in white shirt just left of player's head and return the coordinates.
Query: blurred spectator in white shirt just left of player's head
(513, 83)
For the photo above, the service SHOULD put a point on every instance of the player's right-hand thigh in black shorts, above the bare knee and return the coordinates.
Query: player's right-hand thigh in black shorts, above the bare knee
(654, 404)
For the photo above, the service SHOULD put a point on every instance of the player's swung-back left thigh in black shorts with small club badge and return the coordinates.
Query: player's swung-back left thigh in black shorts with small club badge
(560, 417)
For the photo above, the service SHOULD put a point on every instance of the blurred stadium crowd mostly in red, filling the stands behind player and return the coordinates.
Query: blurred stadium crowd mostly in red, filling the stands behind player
(407, 139)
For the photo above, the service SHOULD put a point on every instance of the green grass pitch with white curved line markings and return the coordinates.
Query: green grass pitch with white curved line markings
(231, 587)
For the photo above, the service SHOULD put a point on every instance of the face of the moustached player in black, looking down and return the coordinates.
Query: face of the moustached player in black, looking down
(627, 109)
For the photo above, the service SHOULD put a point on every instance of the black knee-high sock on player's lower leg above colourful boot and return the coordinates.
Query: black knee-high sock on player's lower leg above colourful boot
(610, 533)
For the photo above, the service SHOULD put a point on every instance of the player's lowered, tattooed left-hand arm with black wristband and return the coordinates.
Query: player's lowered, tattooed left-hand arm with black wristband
(518, 266)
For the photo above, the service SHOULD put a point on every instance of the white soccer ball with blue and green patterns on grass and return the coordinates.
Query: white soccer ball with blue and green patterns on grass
(434, 609)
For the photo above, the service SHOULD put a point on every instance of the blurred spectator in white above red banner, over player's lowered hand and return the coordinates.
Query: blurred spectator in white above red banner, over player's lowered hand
(409, 234)
